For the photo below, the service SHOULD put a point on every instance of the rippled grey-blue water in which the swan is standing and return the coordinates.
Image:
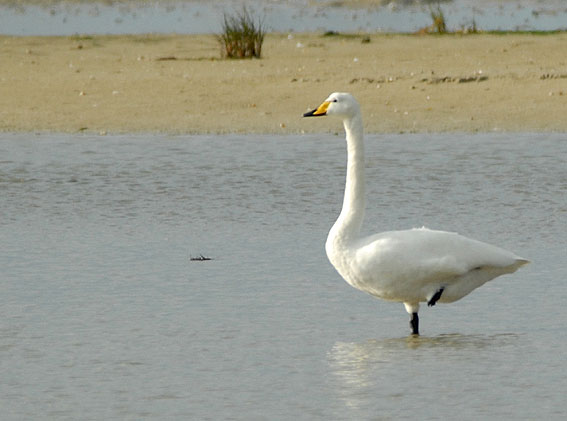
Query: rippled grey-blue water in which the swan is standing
(104, 316)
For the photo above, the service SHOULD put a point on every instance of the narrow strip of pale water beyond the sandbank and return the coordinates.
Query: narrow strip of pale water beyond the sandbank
(194, 17)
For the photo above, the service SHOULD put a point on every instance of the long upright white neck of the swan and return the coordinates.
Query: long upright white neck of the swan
(347, 227)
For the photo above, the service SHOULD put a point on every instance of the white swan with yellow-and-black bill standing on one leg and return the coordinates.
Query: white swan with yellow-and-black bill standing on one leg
(412, 266)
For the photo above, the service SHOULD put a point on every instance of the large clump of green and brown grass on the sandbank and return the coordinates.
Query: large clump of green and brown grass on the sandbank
(242, 36)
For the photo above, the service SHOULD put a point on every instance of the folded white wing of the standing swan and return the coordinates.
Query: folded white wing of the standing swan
(423, 254)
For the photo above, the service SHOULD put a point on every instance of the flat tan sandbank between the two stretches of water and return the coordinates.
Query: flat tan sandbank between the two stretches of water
(178, 83)
